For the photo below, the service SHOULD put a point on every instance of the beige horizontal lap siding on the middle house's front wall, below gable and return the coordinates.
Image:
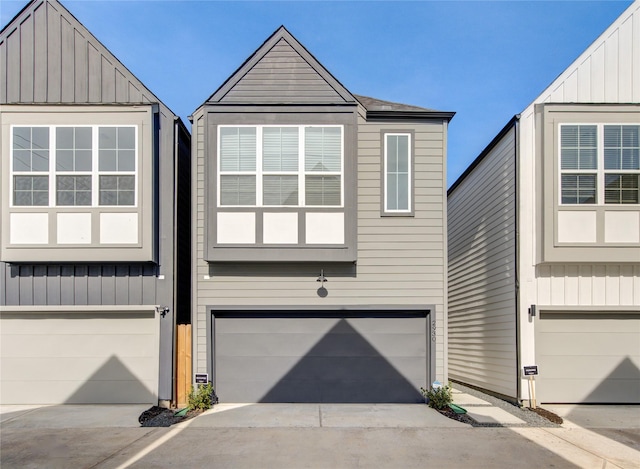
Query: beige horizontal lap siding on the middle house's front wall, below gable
(400, 259)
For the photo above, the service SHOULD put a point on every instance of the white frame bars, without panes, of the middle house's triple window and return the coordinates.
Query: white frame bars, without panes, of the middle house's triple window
(259, 172)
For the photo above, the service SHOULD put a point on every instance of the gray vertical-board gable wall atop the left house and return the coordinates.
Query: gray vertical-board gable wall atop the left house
(50, 57)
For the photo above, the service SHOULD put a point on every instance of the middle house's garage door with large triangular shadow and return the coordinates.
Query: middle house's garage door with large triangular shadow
(315, 357)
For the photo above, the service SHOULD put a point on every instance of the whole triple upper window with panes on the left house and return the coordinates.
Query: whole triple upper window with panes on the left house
(74, 165)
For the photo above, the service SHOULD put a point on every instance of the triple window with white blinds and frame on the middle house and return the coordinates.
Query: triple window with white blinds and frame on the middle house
(280, 166)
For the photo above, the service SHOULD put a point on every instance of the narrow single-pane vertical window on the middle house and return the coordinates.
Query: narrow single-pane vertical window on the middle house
(397, 173)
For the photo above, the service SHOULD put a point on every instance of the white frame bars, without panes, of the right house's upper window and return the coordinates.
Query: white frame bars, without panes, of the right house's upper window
(600, 172)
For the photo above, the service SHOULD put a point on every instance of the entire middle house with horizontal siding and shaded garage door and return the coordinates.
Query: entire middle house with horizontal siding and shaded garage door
(319, 237)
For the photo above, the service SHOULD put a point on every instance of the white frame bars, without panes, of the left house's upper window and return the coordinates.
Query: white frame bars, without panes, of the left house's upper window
(94, 173)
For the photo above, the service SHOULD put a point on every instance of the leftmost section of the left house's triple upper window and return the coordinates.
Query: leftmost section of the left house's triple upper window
(30, 166)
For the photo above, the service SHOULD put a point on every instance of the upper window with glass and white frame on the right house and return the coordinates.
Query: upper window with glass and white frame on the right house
(599, 164)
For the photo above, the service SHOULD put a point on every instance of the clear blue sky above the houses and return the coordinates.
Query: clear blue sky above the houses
(484, 60)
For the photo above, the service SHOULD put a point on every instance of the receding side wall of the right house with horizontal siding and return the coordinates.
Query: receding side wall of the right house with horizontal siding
(482, 275)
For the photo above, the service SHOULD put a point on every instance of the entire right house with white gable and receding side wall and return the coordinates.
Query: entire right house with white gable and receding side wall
(544, 238)
